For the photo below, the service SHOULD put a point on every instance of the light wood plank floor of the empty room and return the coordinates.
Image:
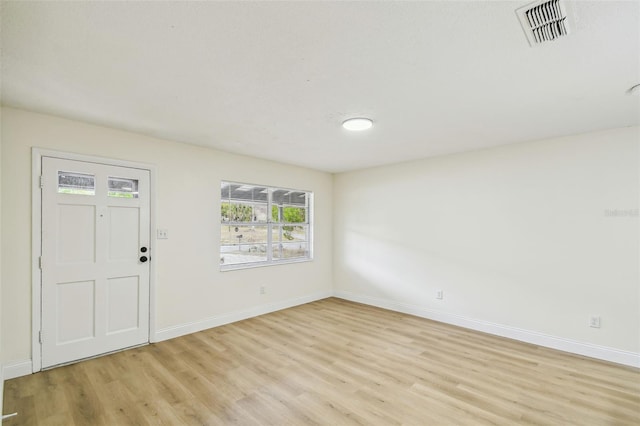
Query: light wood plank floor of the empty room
(331, 362)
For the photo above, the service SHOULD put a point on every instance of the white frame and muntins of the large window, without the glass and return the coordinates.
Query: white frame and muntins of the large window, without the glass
(270, 225)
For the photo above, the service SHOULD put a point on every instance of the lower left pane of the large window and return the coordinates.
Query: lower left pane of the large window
(242, 244)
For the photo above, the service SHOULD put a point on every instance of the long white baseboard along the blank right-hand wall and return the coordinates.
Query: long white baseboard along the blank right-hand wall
(540, 339)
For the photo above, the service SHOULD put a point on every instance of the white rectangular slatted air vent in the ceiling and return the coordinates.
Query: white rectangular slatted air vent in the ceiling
(544, 21)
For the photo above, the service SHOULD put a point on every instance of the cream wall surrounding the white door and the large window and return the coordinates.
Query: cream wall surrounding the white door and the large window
(190, 289)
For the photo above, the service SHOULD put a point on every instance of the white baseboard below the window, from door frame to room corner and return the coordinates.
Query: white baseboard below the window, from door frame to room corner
(193, 327)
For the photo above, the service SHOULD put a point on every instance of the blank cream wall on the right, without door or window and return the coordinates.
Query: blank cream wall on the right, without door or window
(517, 237)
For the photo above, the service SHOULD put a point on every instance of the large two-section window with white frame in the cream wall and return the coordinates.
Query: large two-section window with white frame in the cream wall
(261, 225)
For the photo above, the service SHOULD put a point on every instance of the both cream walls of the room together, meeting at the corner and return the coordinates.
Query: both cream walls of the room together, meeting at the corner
(517, 236)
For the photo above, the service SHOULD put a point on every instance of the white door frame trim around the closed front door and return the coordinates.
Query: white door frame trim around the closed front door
(36, 240)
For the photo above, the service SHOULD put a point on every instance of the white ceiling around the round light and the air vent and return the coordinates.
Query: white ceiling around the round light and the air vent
(276, 79)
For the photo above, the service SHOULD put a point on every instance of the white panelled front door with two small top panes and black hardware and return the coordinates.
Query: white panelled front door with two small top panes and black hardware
(95, 259)
